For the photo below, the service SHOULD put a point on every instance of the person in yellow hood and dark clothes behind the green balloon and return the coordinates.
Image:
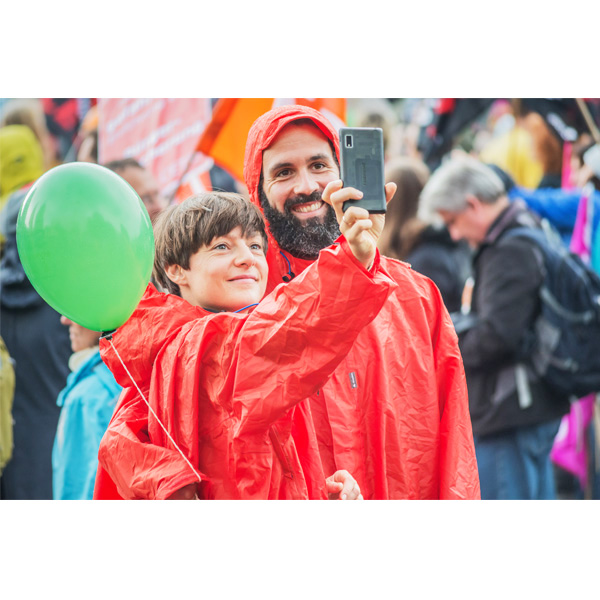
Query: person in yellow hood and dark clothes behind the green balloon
(31, 330)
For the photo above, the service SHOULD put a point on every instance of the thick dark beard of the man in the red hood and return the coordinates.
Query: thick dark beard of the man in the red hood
(301, 238)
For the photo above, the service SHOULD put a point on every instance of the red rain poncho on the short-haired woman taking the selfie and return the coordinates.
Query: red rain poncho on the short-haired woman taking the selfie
(226, 386)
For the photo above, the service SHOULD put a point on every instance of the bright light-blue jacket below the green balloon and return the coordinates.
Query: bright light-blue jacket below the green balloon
(87, 402)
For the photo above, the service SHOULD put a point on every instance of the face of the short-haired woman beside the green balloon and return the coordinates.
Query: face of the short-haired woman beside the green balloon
(229, 273)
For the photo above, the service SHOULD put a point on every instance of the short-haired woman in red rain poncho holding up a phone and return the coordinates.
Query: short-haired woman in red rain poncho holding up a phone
(225, 373)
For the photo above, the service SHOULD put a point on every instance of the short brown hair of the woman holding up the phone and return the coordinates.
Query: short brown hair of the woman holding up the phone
(182, 229)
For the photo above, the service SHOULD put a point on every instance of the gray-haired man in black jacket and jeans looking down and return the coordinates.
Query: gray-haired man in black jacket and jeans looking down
(515, 416)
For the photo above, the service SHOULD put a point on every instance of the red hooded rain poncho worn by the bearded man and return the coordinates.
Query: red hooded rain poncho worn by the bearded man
(395, 412)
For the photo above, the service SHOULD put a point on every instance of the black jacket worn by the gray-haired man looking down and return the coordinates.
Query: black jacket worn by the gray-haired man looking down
(504, 391)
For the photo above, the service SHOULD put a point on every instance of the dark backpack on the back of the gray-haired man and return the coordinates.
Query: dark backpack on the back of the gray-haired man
(564, 346)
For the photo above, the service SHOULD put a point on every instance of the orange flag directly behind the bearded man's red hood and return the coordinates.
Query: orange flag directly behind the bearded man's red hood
(224, 138)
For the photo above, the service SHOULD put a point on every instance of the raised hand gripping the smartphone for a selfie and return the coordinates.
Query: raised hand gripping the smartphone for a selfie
(360, 229)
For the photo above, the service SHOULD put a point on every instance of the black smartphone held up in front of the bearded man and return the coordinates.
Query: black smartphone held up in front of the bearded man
(361, 153)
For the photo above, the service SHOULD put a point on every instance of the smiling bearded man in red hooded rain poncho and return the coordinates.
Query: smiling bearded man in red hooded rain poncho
(395, 411)
